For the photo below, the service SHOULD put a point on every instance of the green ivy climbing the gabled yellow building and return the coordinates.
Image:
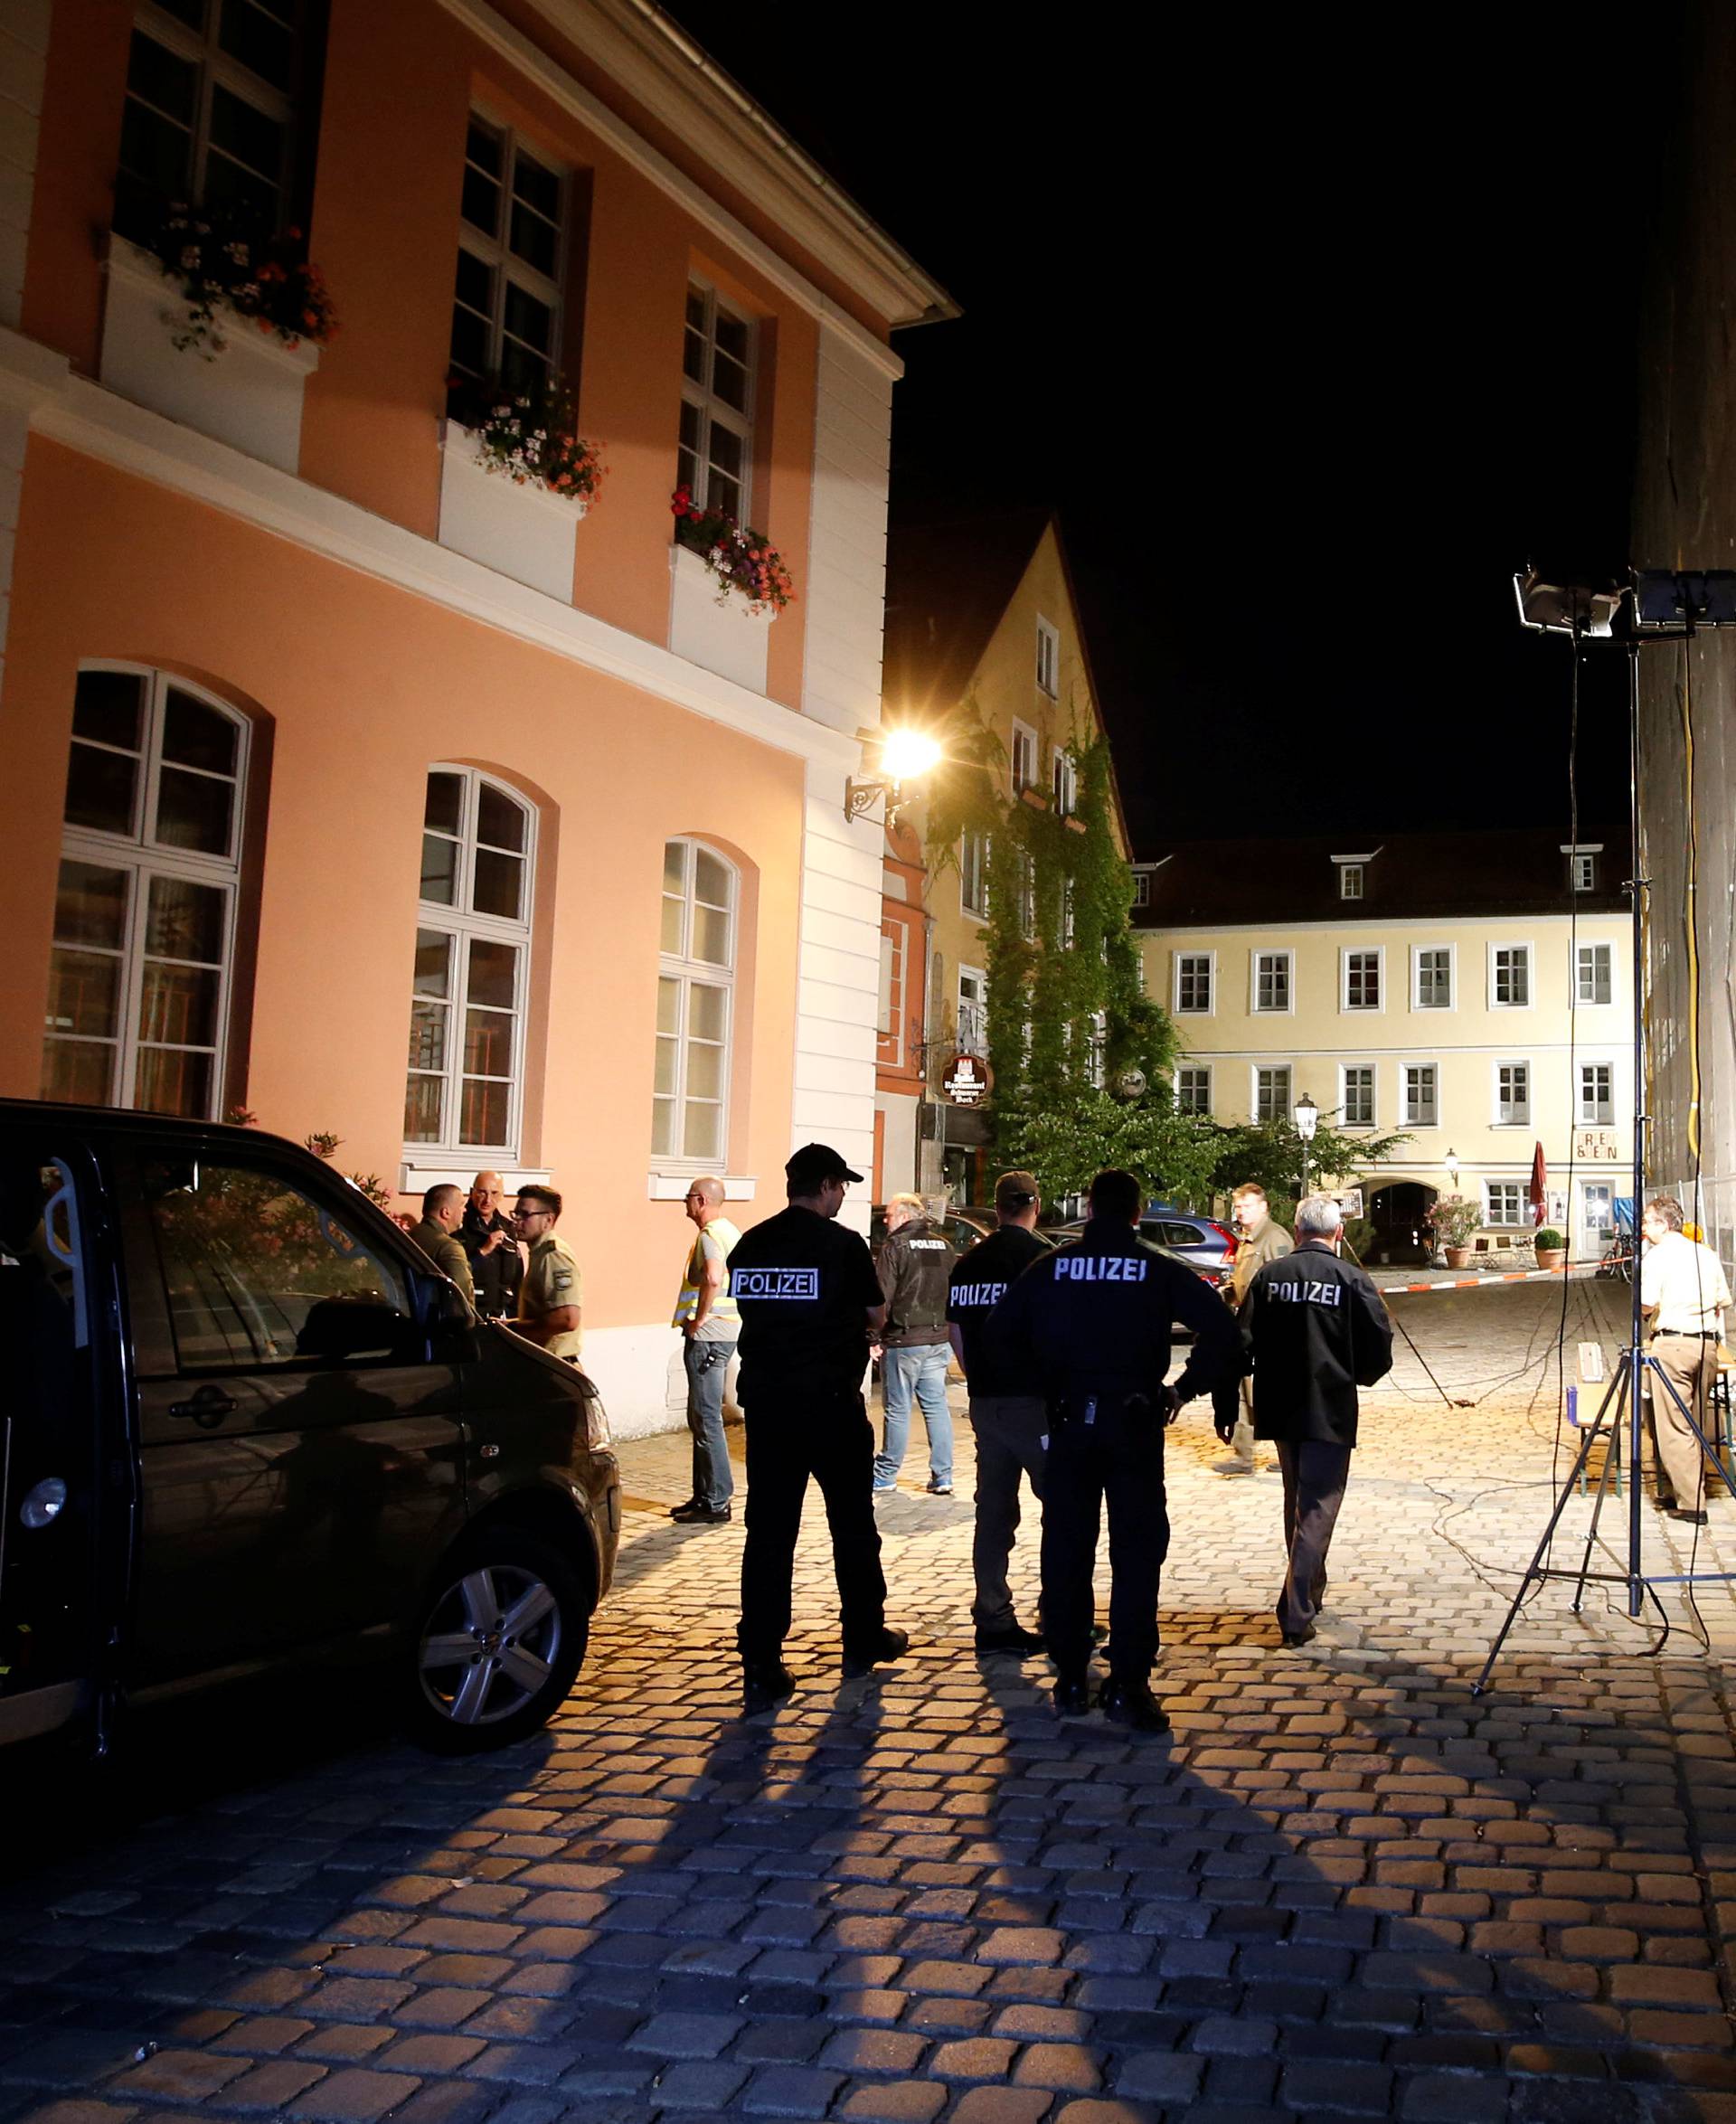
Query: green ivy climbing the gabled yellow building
(1061, 970)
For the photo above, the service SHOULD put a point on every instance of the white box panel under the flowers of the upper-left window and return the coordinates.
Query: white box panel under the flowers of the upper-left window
(250, 396)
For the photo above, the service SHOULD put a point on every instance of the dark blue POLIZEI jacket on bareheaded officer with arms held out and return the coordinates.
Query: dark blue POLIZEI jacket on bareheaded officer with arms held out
(1095, 1318)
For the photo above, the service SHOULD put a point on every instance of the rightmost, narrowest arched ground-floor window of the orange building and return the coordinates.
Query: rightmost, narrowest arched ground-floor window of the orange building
(696, 995)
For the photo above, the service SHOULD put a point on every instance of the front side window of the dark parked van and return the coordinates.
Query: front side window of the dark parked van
(260, 1273)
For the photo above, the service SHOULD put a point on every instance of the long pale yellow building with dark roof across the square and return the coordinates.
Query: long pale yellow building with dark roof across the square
(1471, 991)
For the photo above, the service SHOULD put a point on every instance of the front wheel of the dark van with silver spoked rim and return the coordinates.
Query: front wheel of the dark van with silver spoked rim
(498, 1647)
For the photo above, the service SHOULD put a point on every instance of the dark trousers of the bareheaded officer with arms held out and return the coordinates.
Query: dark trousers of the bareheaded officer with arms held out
(1114, 1462)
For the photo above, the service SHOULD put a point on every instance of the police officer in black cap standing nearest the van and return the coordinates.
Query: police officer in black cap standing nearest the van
(809, 1301)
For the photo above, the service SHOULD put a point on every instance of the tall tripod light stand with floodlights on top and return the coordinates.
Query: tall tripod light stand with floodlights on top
(1697, 602)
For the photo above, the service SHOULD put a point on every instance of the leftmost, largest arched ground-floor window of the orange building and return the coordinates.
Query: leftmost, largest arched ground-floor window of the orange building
(146, 912)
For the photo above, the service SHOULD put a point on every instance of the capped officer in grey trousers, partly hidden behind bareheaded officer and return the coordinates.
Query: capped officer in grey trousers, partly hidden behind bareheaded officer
(1006, 1416)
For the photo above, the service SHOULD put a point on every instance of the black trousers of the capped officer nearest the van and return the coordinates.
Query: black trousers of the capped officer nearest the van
(830, 1439)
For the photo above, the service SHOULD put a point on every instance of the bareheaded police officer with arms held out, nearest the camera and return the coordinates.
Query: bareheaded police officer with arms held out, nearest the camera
(1091, 1326)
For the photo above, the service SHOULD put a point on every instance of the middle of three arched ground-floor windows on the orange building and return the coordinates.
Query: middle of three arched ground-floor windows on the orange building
(473, 955)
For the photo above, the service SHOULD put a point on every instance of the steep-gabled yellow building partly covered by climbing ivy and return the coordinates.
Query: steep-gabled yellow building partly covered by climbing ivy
(978, 611)
